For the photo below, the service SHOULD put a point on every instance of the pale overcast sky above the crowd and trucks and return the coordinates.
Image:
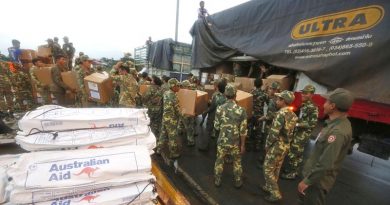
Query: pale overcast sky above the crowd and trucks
(99, 28)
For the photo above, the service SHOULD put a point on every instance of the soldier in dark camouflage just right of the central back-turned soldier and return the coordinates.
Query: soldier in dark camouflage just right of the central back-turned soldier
(259, 99)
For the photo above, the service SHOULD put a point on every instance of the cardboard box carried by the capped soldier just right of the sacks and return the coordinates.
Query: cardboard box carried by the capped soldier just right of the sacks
(192, 102)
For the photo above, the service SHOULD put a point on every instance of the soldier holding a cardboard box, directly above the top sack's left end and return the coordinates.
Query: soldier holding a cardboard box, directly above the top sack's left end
(43, 90)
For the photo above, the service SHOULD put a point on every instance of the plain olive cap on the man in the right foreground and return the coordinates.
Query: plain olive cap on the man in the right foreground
(341, 97)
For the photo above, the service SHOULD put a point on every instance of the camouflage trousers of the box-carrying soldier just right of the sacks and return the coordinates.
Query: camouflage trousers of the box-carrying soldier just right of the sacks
(169, 133)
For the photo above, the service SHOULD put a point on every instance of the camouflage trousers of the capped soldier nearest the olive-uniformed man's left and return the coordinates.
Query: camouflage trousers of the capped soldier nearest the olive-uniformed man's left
(295, 155)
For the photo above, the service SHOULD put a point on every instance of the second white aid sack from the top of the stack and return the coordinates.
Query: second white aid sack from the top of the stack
(90, 138)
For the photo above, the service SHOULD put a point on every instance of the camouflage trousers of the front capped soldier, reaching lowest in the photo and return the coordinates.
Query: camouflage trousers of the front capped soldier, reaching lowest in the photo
(272, 164)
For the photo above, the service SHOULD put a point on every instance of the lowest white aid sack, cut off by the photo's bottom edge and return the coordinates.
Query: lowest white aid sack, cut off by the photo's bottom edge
(138, 193)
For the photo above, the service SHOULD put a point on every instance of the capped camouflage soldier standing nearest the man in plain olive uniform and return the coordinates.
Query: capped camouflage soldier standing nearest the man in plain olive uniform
(303, 129)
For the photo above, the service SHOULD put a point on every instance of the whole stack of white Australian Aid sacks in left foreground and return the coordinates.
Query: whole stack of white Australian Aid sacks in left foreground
(66, 168)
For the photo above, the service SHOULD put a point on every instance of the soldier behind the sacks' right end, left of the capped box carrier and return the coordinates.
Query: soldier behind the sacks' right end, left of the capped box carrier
(152, 99)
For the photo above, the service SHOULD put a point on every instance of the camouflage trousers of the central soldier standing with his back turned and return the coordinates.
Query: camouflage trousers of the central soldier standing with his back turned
(234, 152)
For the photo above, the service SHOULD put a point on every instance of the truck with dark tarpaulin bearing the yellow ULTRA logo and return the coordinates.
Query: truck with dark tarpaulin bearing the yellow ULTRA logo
(326, 43)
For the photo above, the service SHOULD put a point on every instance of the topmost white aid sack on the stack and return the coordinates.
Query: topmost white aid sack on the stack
(56, 118)
